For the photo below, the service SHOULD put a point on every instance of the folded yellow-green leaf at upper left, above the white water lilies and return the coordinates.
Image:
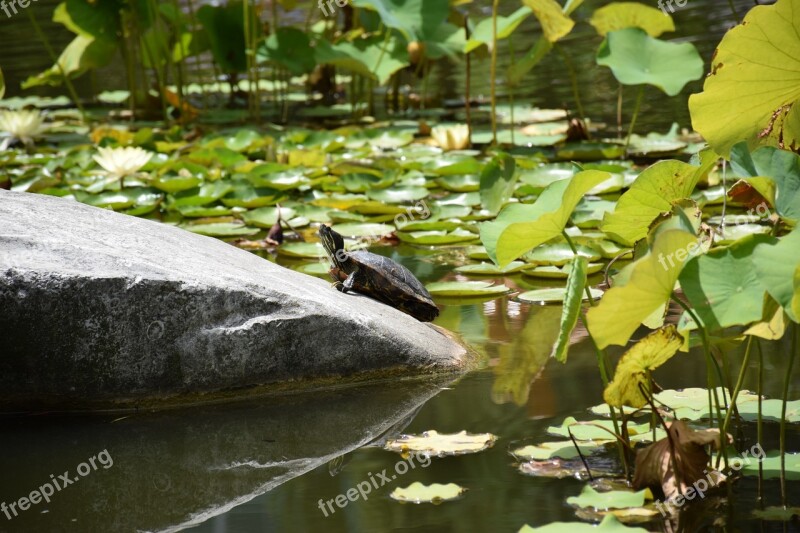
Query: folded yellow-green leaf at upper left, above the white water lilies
(82, 54)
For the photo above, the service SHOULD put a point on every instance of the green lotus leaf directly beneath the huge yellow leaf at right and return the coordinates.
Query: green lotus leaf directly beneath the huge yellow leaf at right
(780, 166)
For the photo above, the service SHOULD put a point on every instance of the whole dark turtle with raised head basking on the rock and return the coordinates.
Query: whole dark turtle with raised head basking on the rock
(378, 277)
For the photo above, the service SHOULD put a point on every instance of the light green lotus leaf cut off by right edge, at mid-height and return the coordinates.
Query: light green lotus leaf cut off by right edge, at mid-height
(776, 265)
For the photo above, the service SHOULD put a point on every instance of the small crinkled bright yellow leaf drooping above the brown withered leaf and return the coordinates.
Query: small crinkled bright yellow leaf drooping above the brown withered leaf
(633, 368)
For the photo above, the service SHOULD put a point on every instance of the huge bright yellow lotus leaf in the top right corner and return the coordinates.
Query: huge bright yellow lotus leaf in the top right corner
(752, 91)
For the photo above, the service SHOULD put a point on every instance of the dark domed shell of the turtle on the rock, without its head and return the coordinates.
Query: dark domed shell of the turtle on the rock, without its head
(393, 284)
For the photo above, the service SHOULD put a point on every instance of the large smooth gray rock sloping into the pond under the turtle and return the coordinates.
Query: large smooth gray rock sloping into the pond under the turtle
(97, 306)
